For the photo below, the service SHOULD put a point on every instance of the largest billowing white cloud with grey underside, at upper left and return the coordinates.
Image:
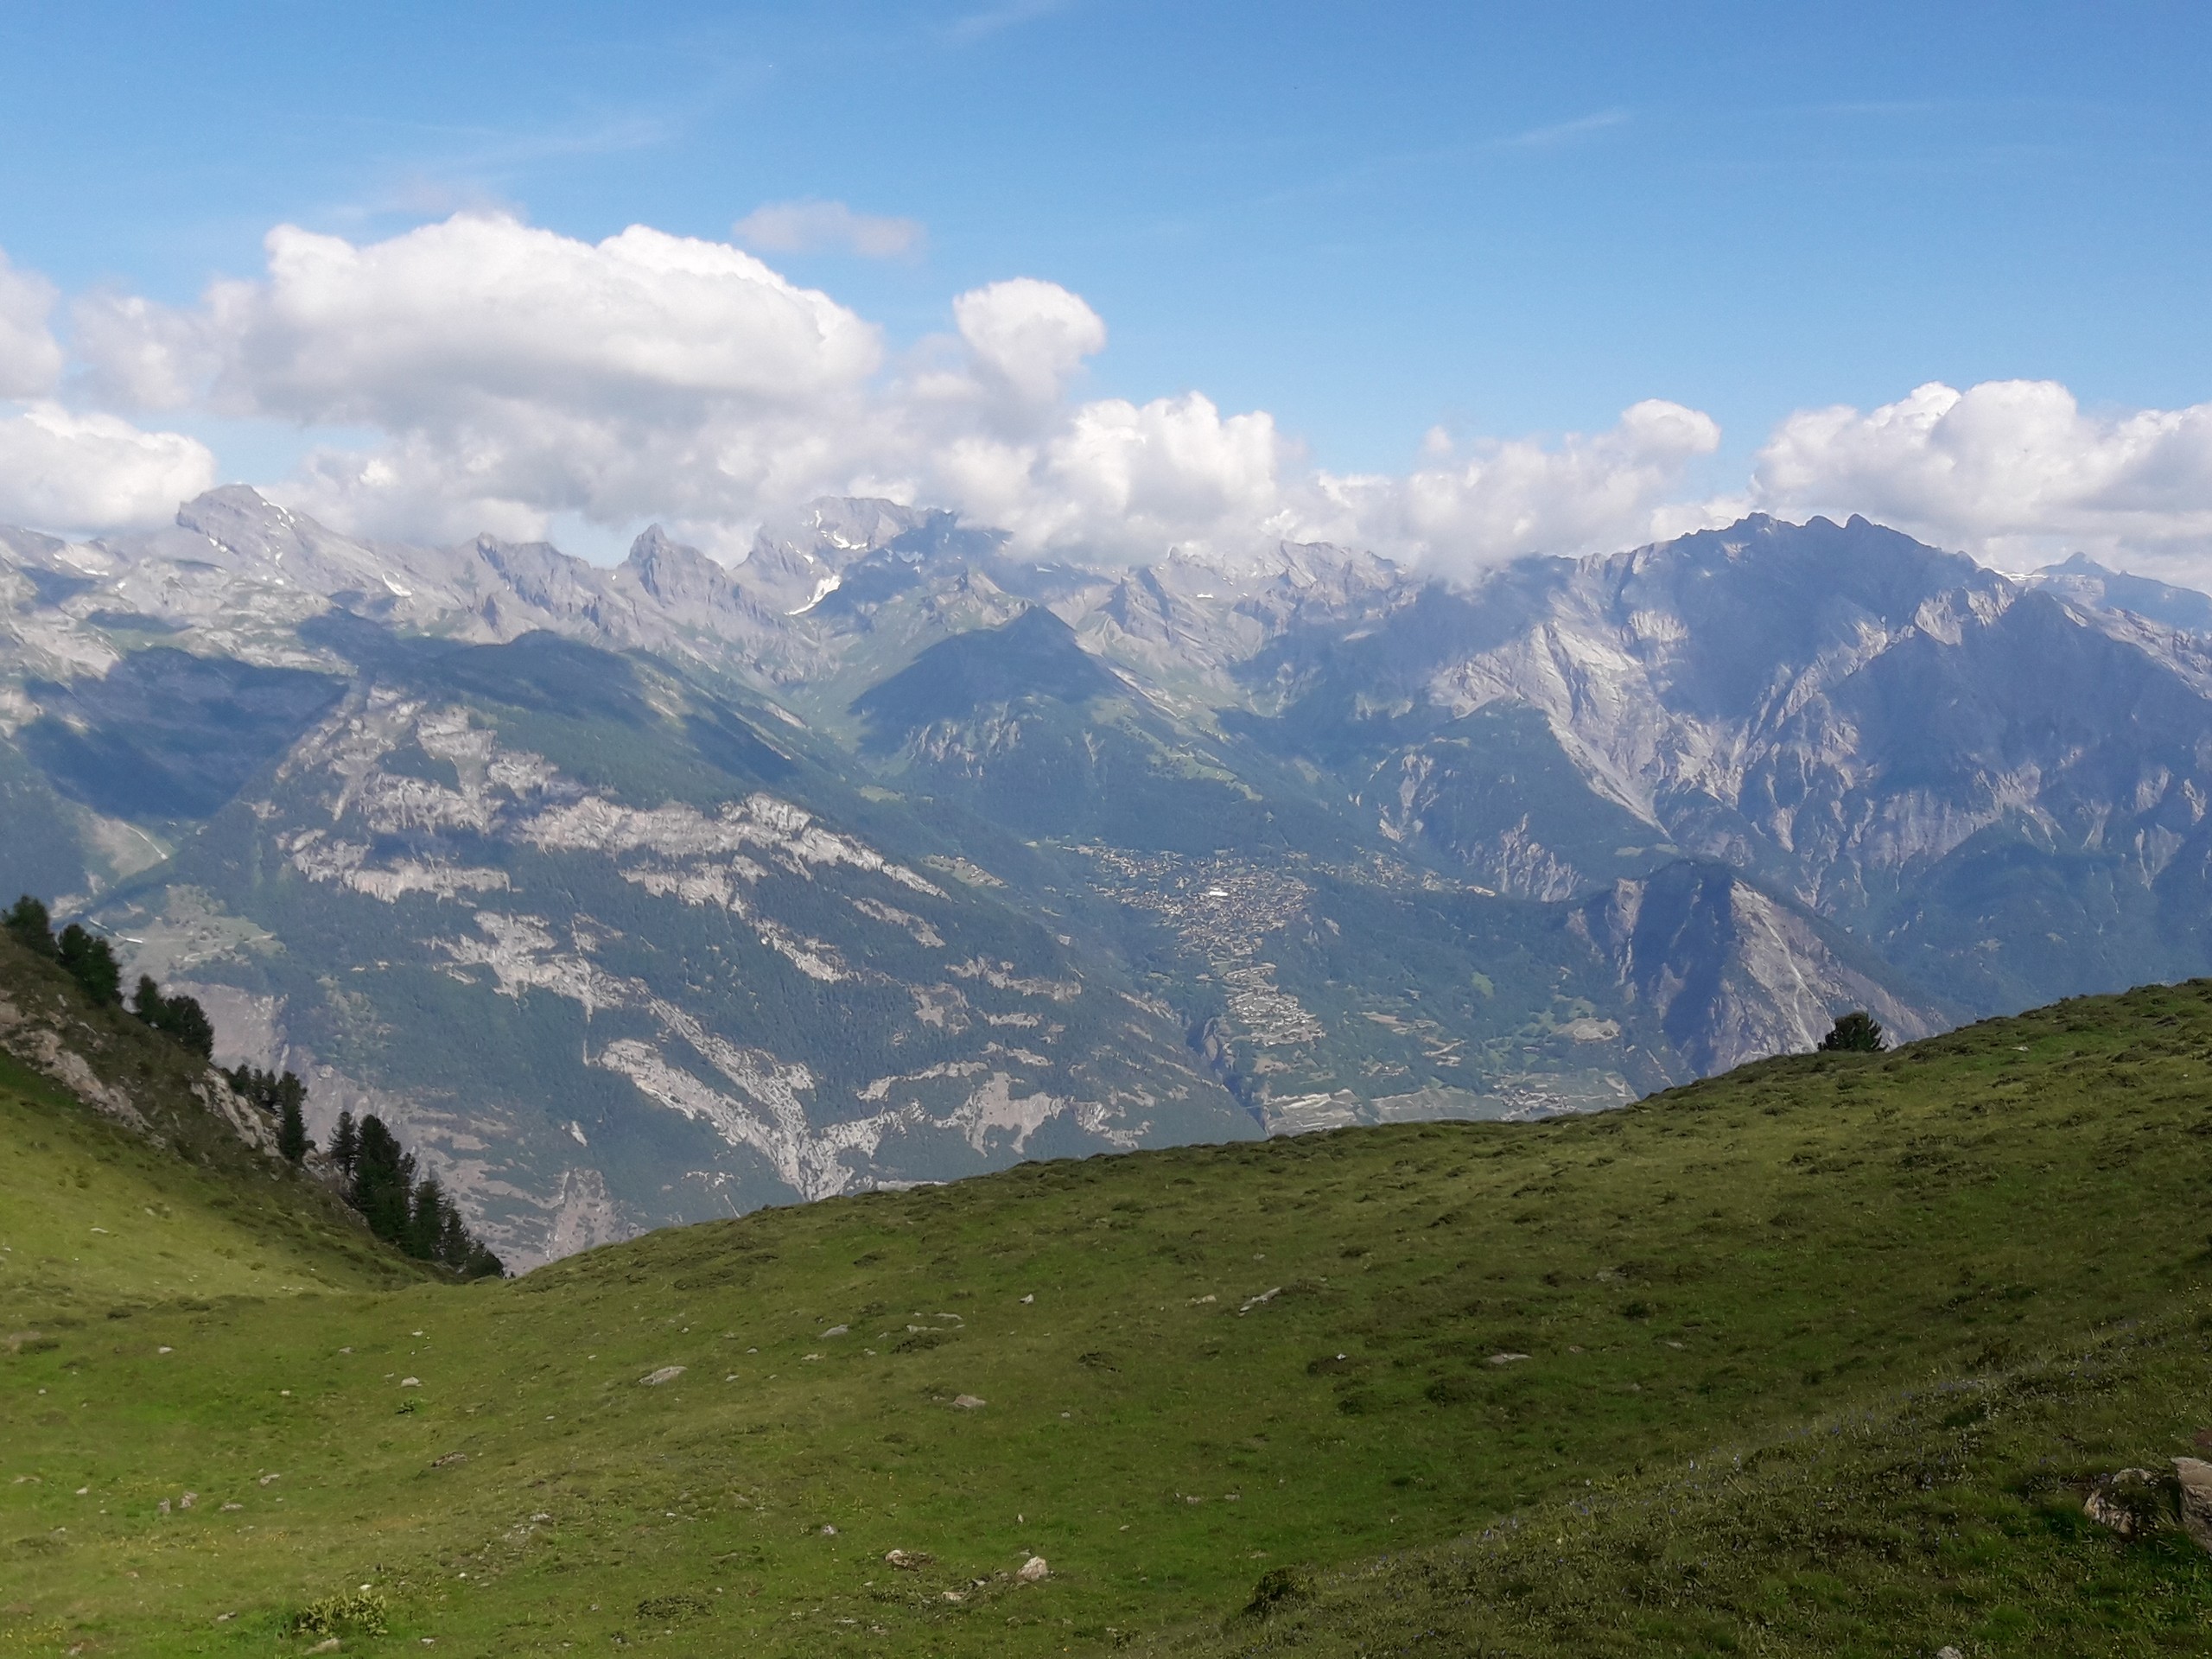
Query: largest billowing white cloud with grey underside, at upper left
(517, 373)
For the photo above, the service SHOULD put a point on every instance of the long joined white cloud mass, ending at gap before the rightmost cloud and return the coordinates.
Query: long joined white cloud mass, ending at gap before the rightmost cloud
(512, 375)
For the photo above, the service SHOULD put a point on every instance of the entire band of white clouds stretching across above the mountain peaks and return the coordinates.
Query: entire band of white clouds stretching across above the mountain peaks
(486, 375)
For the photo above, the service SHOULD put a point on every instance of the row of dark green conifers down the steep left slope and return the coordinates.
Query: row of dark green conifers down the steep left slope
(373, 1171)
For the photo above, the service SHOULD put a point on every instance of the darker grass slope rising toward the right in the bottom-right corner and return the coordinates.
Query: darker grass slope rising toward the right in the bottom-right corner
(1952, 1516)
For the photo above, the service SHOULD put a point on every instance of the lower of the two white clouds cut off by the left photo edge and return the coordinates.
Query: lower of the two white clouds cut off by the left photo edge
(92, 472)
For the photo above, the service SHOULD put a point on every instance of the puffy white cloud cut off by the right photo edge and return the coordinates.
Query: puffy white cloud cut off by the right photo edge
(2007, 470)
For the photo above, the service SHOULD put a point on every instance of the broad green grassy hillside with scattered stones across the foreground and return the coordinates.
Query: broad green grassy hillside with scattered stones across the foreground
(1914, 1293)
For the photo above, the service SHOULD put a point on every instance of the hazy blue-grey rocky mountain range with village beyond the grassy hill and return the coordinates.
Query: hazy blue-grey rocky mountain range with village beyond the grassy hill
(671, 888)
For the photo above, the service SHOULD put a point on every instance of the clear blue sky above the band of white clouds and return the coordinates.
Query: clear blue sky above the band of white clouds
(1364, 220)
